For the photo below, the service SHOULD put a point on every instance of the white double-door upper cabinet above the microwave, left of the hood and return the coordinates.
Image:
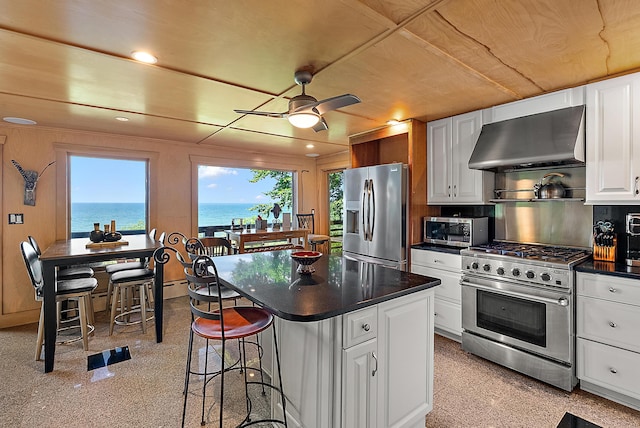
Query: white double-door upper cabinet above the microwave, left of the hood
(450, 143)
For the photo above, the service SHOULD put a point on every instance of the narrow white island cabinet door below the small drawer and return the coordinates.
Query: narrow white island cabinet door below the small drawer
(359, 387)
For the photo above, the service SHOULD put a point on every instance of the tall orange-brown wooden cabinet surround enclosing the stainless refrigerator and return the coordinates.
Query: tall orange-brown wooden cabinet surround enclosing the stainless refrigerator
(406, 143)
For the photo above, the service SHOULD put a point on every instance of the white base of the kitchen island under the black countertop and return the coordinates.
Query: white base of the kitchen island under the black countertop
(368, 368)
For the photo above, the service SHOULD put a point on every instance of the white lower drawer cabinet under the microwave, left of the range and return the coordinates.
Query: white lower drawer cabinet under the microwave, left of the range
(448, 296)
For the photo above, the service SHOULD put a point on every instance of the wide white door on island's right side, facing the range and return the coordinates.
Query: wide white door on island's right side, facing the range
(405, 360)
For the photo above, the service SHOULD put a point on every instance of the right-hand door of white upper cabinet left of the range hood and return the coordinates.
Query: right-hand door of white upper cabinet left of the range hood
(467, 183)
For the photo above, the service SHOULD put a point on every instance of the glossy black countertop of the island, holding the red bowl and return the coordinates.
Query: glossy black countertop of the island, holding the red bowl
(338, 285)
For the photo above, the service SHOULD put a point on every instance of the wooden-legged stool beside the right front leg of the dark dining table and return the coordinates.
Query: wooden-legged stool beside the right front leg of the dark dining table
(124, 285)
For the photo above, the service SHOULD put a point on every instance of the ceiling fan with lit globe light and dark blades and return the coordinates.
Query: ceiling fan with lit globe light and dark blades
(304, 110)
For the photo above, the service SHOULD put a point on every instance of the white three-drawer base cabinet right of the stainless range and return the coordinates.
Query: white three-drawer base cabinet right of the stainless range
(608, 345)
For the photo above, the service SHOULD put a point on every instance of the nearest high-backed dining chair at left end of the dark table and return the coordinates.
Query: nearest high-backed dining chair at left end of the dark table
(79, 289)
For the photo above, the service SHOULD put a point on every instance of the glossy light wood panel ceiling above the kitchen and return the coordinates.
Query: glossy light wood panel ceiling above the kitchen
(66, 63)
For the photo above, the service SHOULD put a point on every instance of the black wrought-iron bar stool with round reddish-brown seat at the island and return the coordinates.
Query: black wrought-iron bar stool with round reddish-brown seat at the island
(222, 324)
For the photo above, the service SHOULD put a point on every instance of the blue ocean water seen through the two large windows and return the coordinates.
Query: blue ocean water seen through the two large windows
(131, 216)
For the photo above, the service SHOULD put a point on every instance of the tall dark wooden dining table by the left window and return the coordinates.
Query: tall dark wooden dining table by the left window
(74, 251)
